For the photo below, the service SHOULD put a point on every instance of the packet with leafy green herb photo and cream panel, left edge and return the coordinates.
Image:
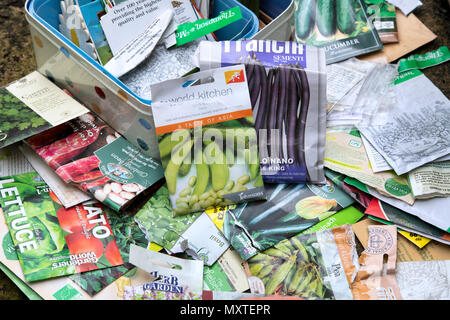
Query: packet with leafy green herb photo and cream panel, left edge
(31, 105)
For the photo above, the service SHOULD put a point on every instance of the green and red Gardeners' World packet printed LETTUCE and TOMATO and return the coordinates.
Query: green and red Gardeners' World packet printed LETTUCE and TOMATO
(50, 240)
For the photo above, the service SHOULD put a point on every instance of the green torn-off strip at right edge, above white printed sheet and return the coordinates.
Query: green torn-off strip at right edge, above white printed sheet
(422, 61)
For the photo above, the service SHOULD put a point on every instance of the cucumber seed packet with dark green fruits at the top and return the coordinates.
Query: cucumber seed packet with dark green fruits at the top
(341, 27)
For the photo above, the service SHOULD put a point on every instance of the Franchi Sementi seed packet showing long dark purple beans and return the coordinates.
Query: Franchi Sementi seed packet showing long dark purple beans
(287, 83)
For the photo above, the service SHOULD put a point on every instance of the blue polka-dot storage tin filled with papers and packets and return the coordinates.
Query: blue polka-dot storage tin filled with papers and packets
(72, 69)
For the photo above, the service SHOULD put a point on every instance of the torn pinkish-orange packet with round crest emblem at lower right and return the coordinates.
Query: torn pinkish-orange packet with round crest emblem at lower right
(376, 279)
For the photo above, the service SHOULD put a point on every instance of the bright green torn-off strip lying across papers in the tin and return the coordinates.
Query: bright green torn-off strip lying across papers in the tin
(188, 32)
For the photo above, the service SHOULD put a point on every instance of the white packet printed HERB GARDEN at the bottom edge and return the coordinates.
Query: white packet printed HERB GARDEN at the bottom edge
(175, 278)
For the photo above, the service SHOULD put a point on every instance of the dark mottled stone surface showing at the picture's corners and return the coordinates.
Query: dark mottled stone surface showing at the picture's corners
(17, 60)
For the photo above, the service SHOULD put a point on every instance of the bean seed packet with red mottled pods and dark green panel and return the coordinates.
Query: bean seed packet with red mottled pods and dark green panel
(94, 158)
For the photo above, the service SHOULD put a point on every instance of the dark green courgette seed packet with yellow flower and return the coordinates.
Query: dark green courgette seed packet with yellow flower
(289, 210)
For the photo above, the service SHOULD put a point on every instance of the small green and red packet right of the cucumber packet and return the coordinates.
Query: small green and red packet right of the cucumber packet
(384, 18)
